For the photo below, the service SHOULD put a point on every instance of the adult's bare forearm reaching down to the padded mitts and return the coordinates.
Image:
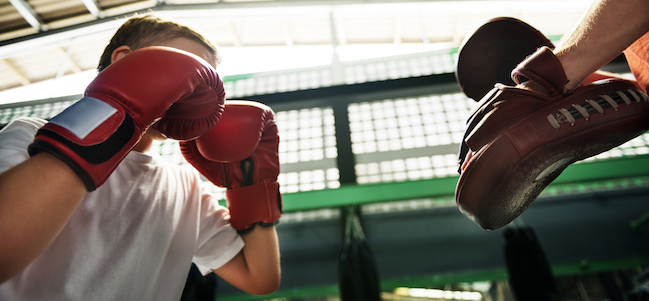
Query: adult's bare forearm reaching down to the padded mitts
(605, 30)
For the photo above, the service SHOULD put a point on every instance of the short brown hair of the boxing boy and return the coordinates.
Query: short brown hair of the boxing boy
(148, 30)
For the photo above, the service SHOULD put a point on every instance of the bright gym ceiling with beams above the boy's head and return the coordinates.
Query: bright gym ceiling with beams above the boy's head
(47, 39)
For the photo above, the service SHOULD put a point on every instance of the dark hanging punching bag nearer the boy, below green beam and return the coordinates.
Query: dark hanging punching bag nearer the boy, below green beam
(357, 275)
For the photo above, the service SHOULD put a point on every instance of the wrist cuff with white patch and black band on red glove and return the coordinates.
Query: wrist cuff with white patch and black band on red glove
(91, 137)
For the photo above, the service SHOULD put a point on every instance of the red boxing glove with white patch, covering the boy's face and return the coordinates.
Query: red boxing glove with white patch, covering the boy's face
(93, 135)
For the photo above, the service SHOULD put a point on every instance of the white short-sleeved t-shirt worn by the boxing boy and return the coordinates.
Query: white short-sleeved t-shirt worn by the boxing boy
(134, 238)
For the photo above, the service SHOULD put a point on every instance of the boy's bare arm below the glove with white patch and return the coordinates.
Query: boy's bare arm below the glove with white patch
(37, 198)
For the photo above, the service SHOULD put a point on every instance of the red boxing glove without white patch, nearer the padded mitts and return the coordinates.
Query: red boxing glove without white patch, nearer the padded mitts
(241, 154)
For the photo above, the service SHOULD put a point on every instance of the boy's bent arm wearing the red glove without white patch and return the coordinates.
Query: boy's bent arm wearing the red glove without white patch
(241, 154)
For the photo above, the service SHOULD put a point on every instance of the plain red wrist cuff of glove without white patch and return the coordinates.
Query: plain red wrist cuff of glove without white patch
(259, 203)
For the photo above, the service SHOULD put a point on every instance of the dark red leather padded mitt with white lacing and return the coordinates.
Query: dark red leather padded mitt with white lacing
(517, 141)
